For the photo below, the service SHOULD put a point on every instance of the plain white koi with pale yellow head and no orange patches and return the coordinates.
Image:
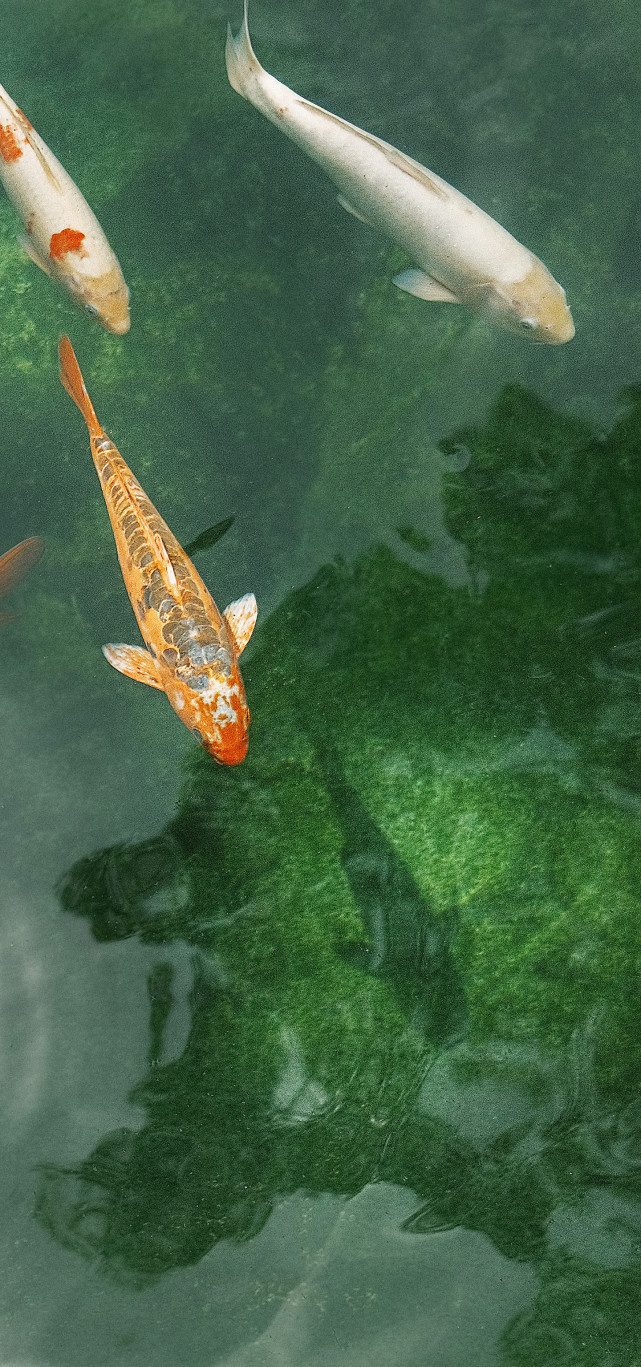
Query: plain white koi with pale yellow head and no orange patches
(461, 255)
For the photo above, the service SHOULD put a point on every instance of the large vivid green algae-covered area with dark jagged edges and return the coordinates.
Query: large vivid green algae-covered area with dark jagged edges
(413, 912)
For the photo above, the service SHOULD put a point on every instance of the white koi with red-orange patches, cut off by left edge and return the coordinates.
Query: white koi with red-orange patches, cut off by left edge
(64, 236)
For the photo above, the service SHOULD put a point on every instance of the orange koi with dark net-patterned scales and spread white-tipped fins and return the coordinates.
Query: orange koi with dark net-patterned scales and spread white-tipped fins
(193, 650)
